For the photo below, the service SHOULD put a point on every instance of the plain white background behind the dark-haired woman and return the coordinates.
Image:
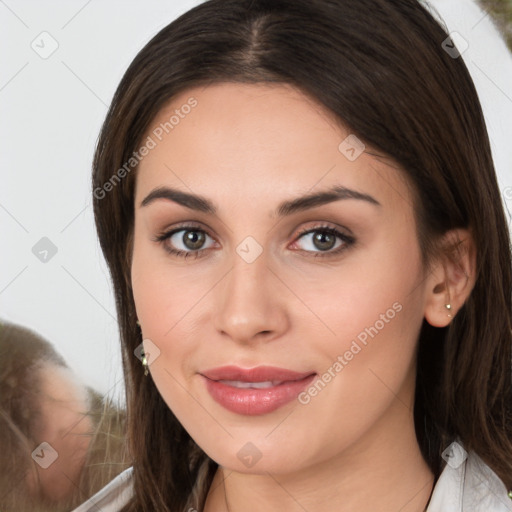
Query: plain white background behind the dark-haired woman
(51, 111)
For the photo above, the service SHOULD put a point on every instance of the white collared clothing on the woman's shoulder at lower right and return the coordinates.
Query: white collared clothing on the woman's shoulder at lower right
(467, 483)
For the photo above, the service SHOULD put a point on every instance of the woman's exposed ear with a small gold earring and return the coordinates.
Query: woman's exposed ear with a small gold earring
(452, 277)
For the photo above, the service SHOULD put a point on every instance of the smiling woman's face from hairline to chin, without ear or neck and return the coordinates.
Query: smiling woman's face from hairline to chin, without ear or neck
(334, 314)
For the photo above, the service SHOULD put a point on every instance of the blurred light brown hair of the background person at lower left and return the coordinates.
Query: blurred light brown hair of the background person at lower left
(24, 354)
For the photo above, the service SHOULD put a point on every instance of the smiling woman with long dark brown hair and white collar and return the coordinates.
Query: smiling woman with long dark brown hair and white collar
(311, 263)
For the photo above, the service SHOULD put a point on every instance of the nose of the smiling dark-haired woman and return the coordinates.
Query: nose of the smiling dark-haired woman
(250, 303)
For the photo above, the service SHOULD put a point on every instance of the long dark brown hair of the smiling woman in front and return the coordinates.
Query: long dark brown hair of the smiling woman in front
(391, 83)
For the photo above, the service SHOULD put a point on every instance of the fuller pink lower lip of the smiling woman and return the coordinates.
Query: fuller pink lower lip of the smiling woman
(251, 401)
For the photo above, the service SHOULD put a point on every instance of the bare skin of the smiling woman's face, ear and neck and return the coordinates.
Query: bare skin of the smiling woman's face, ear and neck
(248, 147)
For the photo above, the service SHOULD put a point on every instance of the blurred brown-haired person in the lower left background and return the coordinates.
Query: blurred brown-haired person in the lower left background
(51, 425)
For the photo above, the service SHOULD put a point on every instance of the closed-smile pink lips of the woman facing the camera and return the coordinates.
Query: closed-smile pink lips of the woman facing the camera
(254, 391)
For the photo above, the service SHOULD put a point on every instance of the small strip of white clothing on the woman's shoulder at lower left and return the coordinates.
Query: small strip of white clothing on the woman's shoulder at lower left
(115, 495)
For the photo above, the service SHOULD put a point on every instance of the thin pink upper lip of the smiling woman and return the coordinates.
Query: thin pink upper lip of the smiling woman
(257, 374)
